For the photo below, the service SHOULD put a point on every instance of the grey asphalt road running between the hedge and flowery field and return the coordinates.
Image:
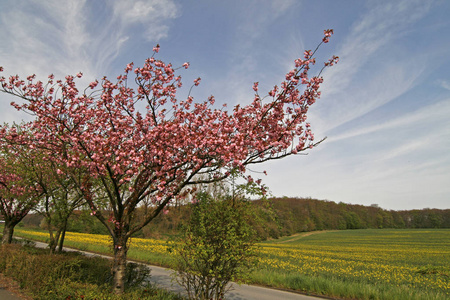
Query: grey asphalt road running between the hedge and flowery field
(161, 277)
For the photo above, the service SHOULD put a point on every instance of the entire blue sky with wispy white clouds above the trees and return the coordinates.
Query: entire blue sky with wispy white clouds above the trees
(385, 107)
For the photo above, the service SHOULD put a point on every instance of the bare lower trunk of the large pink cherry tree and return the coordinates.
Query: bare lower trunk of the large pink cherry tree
(119, 265)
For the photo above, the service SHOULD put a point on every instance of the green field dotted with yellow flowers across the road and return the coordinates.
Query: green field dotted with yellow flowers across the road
(352, 264)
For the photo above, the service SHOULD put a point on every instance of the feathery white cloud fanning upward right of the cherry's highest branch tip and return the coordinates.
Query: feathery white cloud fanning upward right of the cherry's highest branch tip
(350, 90)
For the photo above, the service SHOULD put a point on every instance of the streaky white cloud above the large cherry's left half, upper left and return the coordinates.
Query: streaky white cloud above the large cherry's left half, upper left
(44, 37)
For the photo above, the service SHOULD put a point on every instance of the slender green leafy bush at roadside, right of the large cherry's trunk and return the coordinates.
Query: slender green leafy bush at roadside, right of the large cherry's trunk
(217, 247)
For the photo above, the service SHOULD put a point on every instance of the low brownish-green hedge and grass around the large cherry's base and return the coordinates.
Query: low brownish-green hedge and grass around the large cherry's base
(73, 276)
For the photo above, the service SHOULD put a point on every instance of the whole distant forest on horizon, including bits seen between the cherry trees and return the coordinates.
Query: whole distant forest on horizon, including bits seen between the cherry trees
(276, 217)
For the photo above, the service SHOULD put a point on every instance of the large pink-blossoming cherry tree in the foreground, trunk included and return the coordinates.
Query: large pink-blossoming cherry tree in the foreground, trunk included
(162, 152)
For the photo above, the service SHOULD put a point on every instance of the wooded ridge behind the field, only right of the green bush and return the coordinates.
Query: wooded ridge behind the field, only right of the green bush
(286, 216)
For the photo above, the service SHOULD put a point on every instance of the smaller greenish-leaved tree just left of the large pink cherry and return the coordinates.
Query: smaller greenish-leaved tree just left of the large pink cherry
(58, 194)
